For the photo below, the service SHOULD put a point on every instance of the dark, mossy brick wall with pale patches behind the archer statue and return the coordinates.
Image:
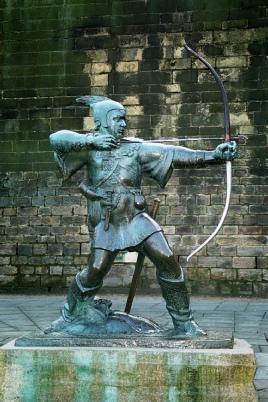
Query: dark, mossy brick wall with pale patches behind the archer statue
(132, 51)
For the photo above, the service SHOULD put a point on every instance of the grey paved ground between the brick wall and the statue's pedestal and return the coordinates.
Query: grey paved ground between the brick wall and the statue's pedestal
(247, 318)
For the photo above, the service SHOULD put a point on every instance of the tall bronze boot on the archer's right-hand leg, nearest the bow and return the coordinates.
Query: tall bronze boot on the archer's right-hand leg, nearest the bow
(177, 299)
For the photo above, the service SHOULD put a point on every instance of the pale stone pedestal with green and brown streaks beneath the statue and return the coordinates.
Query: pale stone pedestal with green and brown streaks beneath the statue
(82, 374)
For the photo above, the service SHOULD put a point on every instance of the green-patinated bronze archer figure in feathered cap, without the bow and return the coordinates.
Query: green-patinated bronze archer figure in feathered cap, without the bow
(118, 217)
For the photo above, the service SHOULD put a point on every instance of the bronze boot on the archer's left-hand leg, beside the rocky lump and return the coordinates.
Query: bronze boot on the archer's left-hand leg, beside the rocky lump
(78, 305)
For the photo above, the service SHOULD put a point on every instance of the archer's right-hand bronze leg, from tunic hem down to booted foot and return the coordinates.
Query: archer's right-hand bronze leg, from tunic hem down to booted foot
(171, 280)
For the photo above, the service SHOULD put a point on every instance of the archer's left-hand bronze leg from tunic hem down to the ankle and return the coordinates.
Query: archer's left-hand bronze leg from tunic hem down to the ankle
(87, 283)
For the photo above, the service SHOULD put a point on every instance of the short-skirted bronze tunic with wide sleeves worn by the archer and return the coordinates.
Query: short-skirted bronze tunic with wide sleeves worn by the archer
(116, 175)
